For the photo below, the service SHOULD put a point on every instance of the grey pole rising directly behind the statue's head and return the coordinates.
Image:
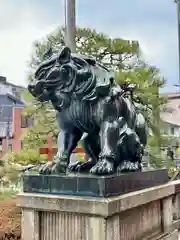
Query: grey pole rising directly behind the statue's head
(70, 24)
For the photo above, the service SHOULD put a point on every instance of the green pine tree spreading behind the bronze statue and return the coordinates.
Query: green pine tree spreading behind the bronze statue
(123, 56)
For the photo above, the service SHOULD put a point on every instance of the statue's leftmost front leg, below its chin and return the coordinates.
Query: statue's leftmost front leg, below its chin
(66, 144)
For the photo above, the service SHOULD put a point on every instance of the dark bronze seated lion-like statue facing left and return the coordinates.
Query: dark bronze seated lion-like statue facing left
(87, 100)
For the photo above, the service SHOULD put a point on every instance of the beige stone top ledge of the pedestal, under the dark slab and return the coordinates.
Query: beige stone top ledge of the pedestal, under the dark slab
(94, 206)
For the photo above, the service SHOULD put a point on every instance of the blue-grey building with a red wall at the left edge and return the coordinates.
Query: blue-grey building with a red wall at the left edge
(12, 123)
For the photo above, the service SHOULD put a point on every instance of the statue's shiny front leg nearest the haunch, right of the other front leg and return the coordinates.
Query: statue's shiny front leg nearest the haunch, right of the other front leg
(107, 159)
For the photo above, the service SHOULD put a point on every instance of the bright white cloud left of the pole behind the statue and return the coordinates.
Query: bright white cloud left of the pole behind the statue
(19, 28)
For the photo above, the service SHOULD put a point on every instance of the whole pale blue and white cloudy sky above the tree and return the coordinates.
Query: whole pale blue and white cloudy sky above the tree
(152, 22)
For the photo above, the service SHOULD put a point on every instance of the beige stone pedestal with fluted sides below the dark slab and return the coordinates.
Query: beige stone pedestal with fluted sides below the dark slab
(143, 214)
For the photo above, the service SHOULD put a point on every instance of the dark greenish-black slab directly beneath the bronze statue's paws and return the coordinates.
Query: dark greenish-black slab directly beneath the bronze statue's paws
(93, 186)
